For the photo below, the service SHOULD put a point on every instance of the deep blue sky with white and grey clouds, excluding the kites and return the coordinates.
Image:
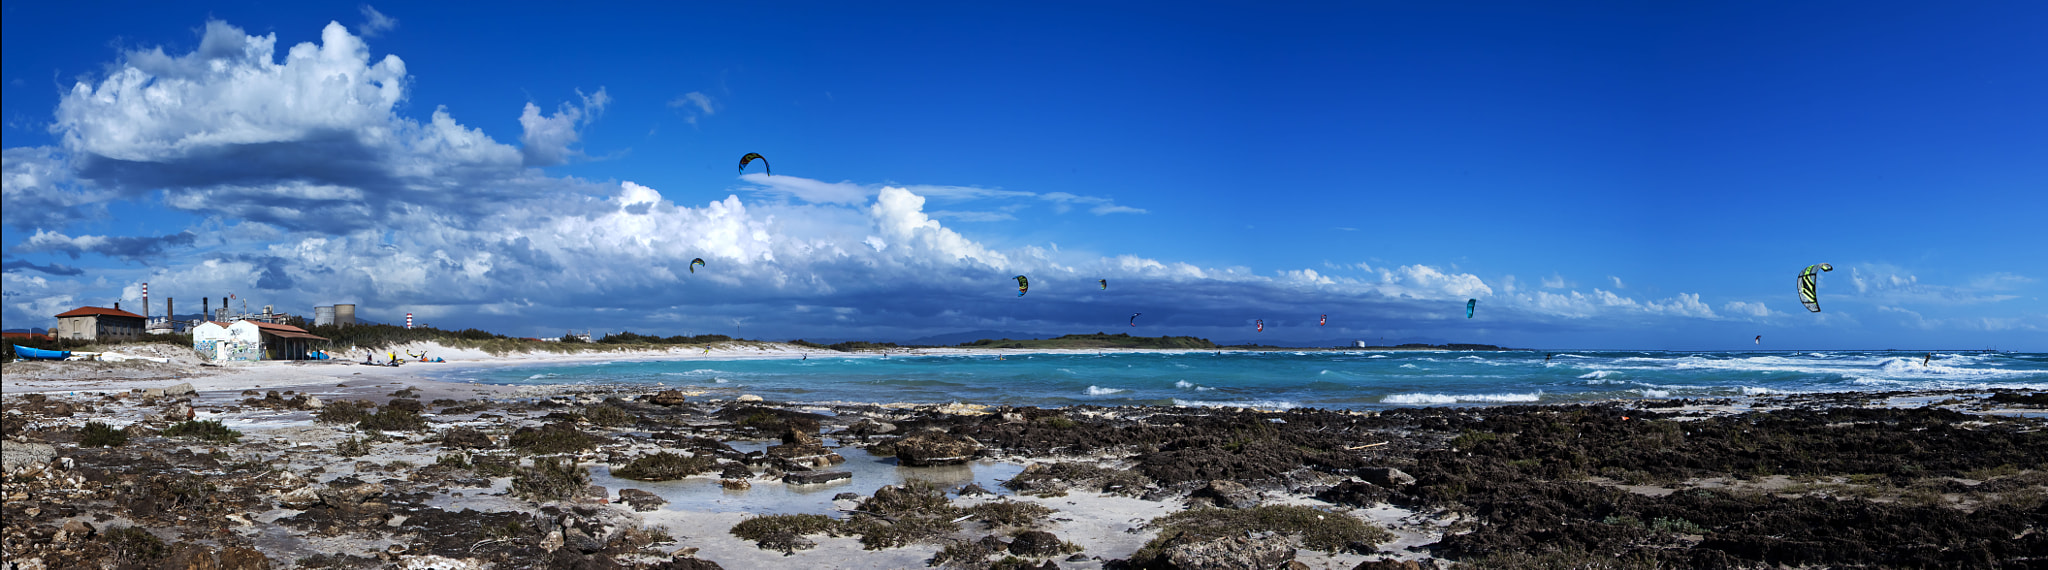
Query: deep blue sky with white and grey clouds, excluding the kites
(1594, 173)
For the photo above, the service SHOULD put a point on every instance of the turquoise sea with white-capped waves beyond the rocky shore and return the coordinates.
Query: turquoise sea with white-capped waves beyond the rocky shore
(1293, 380)
